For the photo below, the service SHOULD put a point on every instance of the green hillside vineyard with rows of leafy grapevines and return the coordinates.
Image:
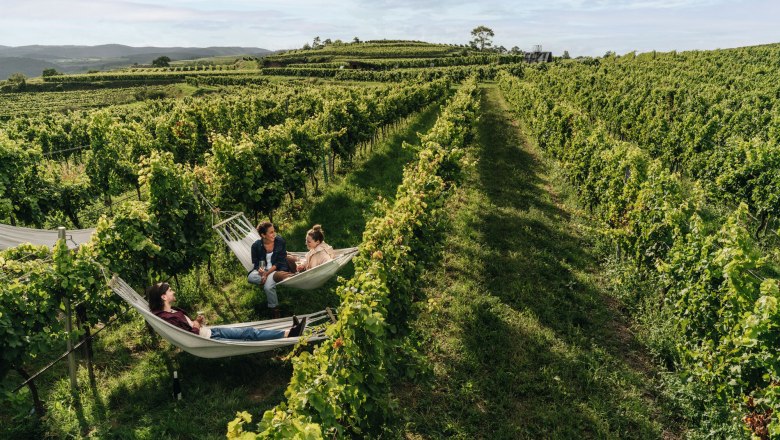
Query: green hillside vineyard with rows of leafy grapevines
(671, 161)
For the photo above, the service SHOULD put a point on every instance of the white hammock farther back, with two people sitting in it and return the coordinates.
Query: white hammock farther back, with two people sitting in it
(239, 235)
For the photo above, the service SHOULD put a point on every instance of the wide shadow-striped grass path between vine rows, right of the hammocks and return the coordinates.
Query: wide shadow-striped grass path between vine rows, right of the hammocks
(522, 339)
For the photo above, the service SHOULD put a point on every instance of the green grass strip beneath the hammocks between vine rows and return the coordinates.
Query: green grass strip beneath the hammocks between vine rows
(131, 397)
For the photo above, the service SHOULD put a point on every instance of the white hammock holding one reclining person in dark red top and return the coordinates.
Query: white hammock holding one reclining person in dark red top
(212, 348)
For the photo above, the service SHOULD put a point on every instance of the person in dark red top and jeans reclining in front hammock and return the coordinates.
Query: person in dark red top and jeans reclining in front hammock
(161, 298)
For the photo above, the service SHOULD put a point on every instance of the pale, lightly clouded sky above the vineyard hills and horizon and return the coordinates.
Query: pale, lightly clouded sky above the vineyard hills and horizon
(583, 27)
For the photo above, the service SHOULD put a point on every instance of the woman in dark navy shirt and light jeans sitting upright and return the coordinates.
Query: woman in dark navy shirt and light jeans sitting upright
(270, 264)
